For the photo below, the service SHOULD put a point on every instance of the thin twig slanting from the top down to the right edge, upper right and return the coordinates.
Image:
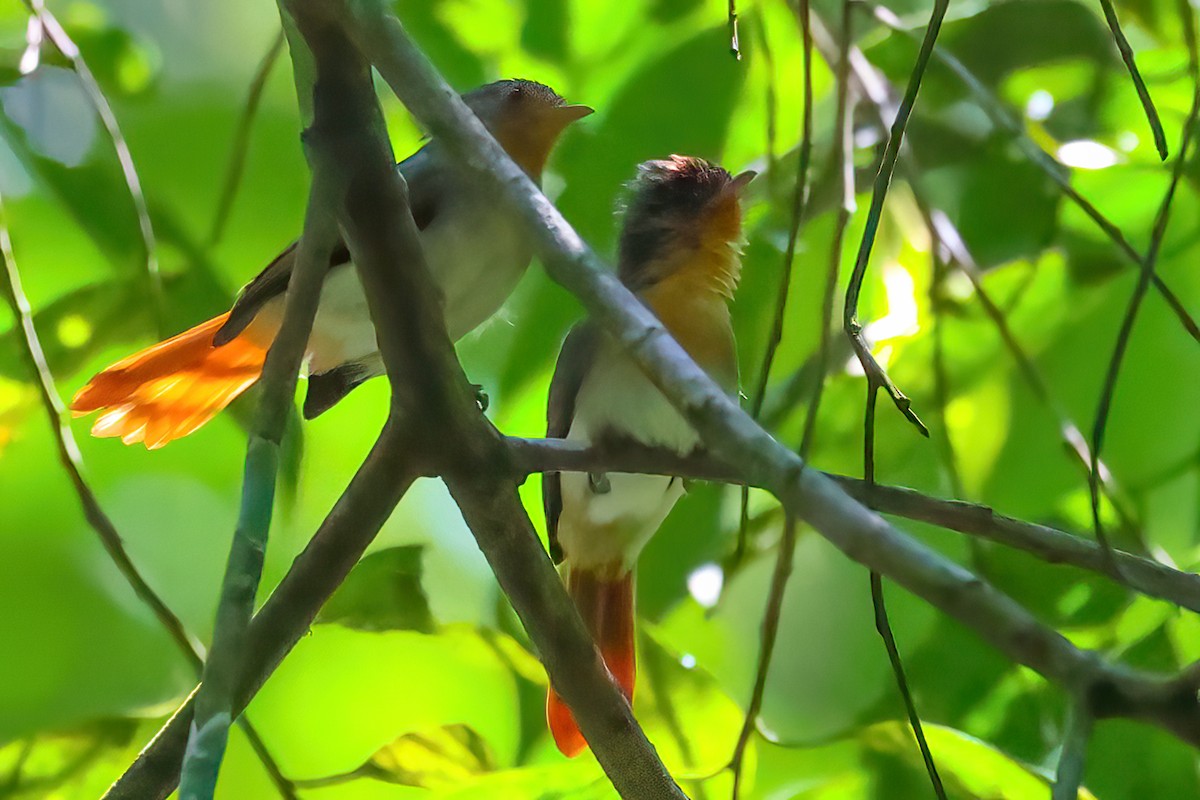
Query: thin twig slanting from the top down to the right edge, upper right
(1059, 175)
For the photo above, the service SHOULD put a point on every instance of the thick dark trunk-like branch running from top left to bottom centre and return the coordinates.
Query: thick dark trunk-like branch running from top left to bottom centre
(463, 446)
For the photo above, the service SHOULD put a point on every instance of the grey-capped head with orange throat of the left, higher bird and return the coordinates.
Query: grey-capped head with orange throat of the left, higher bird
(526, 118)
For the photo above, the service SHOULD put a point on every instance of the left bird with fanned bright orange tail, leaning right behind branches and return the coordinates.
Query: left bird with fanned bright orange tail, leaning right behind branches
(475, 246)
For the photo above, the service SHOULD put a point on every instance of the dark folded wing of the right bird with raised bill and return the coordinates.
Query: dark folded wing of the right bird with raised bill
(574, 362)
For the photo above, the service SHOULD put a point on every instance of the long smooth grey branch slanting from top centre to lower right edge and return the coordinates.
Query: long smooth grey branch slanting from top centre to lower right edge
(866, 538)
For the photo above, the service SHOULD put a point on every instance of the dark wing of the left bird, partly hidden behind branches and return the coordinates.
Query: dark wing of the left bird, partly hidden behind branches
(273, 282)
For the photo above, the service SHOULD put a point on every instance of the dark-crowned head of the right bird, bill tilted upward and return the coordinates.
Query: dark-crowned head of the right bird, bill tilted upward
(685, 213)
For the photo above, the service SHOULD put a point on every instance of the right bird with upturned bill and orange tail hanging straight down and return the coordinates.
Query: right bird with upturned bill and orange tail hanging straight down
(680, 255)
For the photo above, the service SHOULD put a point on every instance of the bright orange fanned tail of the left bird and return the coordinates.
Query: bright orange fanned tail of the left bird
(171, 389)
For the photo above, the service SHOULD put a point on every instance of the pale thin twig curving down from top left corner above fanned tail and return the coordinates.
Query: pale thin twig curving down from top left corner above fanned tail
(64, 44)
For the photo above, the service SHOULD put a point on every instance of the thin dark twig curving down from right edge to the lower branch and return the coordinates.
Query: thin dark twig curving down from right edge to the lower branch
(1131, 316)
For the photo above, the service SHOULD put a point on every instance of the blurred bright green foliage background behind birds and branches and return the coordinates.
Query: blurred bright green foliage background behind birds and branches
(86, 673)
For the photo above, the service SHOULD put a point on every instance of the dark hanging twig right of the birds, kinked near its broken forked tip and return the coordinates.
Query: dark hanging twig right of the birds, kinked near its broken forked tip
(873, 369)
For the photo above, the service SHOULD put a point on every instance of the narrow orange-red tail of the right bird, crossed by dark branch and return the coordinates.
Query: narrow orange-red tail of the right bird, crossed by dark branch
(608, 610)
